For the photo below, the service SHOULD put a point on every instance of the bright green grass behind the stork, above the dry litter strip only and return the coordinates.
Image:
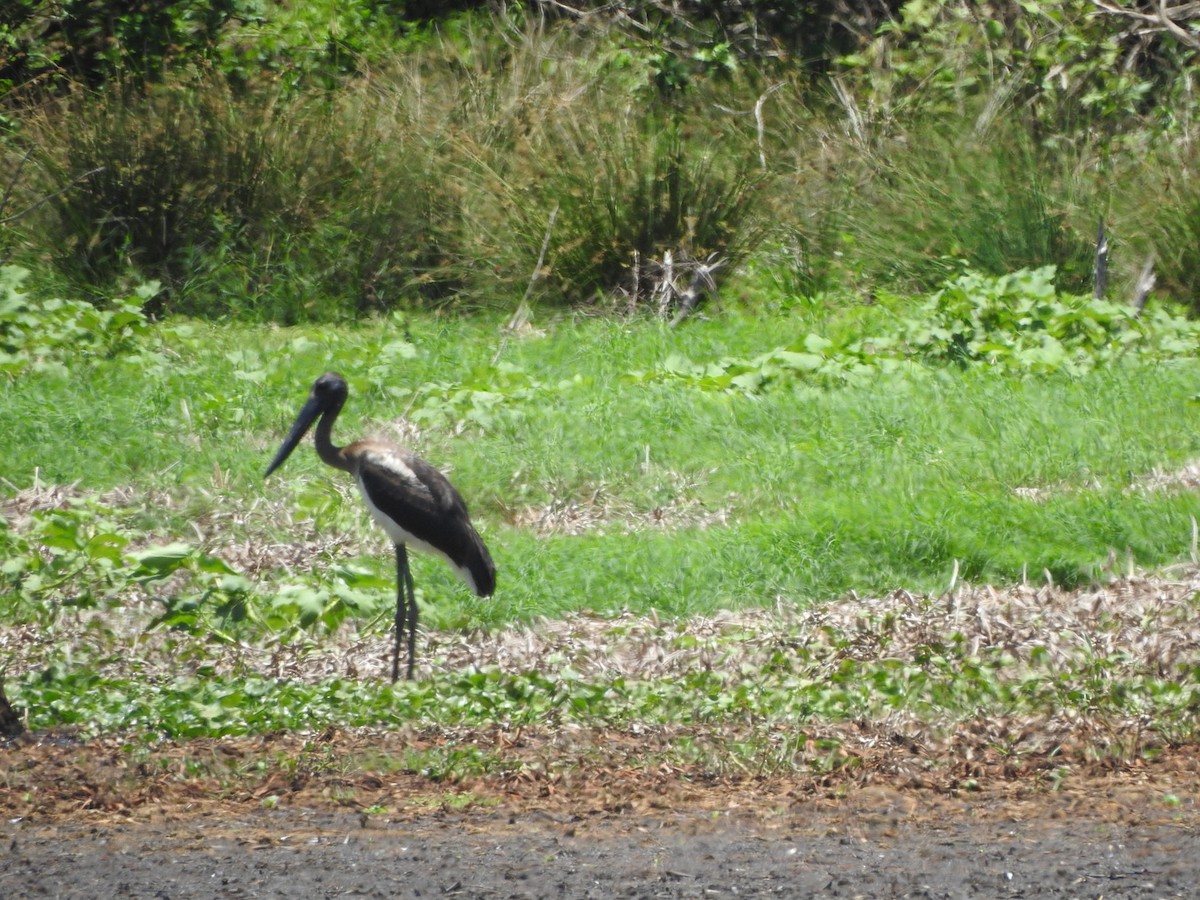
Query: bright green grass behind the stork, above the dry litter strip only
(866, 488)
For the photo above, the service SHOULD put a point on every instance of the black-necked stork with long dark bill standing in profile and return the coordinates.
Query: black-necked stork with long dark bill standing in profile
(413, 502)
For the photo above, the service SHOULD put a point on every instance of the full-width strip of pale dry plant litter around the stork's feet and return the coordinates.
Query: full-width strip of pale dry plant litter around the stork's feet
(1149, 625)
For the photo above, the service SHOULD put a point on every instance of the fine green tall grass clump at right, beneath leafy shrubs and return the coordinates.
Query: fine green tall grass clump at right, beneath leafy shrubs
(943, 195)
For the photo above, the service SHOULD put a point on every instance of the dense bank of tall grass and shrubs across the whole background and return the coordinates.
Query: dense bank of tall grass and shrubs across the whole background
(317, 161)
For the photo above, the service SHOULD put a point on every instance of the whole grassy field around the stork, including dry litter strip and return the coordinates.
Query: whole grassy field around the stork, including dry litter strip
(157, 586)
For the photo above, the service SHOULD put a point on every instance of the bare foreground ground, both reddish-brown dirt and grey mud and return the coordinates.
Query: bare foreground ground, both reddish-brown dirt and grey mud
(242, 819)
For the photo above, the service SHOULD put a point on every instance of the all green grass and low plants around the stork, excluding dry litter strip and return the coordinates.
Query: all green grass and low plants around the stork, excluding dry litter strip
(881, 483)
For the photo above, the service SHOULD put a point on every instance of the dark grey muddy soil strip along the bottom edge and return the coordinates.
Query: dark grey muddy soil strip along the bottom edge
(314, 855)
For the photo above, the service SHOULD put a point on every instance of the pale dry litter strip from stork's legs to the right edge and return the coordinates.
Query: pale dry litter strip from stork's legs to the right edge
(1153, 622)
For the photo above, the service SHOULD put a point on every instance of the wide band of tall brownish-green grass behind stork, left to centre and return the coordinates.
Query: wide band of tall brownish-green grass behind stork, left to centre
(443, 173)
